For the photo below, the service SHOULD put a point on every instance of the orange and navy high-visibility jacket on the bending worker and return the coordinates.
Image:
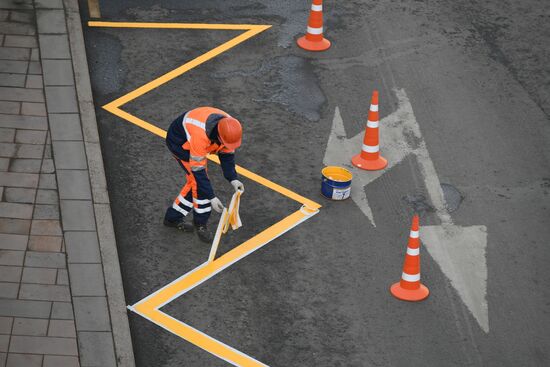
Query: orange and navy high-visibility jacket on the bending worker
(194, 135)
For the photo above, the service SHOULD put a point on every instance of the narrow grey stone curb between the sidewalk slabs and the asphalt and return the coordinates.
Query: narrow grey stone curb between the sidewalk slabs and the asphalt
(102, 208)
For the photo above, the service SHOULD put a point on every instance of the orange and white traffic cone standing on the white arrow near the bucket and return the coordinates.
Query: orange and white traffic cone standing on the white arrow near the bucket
(370, 158)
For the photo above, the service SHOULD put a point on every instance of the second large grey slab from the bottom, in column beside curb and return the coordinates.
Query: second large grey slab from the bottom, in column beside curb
(91, 314)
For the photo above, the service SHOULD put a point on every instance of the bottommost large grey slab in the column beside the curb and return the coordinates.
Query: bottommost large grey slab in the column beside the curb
(96, 349)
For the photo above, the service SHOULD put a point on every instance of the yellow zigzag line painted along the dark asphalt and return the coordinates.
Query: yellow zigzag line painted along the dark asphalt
(150, 305)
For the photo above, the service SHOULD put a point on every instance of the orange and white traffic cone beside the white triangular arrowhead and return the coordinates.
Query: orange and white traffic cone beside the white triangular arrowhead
(410, 288)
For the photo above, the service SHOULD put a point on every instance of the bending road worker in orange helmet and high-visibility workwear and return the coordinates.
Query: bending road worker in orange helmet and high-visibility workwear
(190, 138)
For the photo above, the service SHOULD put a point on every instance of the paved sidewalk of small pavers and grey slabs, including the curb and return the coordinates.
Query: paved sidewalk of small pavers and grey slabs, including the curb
(59, 304)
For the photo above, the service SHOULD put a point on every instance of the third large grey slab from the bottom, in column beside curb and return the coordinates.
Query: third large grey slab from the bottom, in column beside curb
(87, 279)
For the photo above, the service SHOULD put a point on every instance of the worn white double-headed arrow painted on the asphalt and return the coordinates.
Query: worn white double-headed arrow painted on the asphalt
(459, 251)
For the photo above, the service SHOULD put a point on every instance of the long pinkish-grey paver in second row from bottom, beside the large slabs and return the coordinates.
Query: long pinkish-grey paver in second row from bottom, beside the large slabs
(43, 345)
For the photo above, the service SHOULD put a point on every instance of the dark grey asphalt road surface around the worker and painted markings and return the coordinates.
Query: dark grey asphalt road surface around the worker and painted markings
(477, 76)
